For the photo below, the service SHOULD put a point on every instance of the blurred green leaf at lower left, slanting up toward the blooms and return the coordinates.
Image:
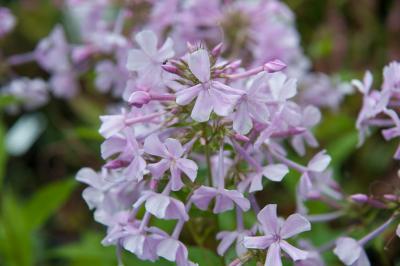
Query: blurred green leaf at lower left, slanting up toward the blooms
(46, 201)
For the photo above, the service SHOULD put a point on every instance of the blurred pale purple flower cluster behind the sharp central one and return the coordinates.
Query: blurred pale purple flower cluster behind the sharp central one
(103, 44)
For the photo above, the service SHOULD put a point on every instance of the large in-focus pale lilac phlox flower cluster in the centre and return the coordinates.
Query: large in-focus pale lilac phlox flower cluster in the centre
(201, 111)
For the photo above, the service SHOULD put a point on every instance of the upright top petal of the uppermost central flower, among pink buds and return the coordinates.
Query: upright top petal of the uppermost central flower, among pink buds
(199, 64)
